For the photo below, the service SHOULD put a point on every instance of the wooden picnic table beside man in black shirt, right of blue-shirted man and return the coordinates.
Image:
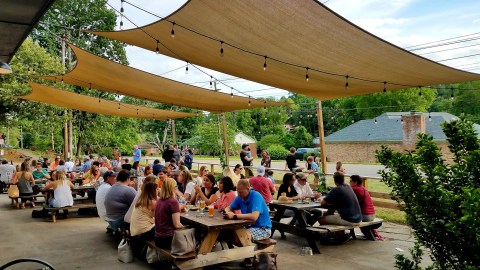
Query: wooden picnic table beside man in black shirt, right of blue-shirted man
(298, 225)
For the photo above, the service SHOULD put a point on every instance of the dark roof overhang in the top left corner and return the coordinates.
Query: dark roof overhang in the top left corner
(17, 19)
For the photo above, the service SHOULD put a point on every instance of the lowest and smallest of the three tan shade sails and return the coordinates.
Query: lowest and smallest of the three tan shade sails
(62, 98)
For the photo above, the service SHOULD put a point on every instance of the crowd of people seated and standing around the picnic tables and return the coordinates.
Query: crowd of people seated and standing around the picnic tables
(149, 199)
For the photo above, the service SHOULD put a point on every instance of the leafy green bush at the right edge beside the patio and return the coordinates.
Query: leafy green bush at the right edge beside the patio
(441, 200)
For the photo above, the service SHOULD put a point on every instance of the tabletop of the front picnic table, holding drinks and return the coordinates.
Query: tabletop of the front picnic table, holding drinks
(215, 222)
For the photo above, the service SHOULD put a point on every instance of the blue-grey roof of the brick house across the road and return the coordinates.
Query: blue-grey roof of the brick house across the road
(389, 128)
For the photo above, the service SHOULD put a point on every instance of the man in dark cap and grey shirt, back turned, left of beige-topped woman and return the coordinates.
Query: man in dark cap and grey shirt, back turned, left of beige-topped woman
(118, 200)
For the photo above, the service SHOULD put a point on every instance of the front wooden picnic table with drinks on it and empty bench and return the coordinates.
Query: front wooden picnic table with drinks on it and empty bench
(212, 226)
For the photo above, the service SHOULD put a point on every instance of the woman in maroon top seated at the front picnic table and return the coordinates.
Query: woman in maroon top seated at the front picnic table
(167, 215)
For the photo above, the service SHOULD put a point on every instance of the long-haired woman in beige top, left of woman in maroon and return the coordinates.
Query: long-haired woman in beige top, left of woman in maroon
(142, 221)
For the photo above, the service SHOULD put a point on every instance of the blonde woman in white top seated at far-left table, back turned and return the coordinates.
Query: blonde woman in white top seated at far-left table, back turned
(62, 190)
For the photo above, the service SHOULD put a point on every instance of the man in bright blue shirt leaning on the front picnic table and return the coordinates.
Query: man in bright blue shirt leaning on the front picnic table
(252, 207)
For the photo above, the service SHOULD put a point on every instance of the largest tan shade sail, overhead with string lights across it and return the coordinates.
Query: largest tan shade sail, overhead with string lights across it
(301, 32)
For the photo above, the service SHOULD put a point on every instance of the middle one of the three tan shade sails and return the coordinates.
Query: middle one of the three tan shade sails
(105, 75)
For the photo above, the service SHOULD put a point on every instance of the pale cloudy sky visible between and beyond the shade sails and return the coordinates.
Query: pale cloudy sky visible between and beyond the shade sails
(405, 23)
